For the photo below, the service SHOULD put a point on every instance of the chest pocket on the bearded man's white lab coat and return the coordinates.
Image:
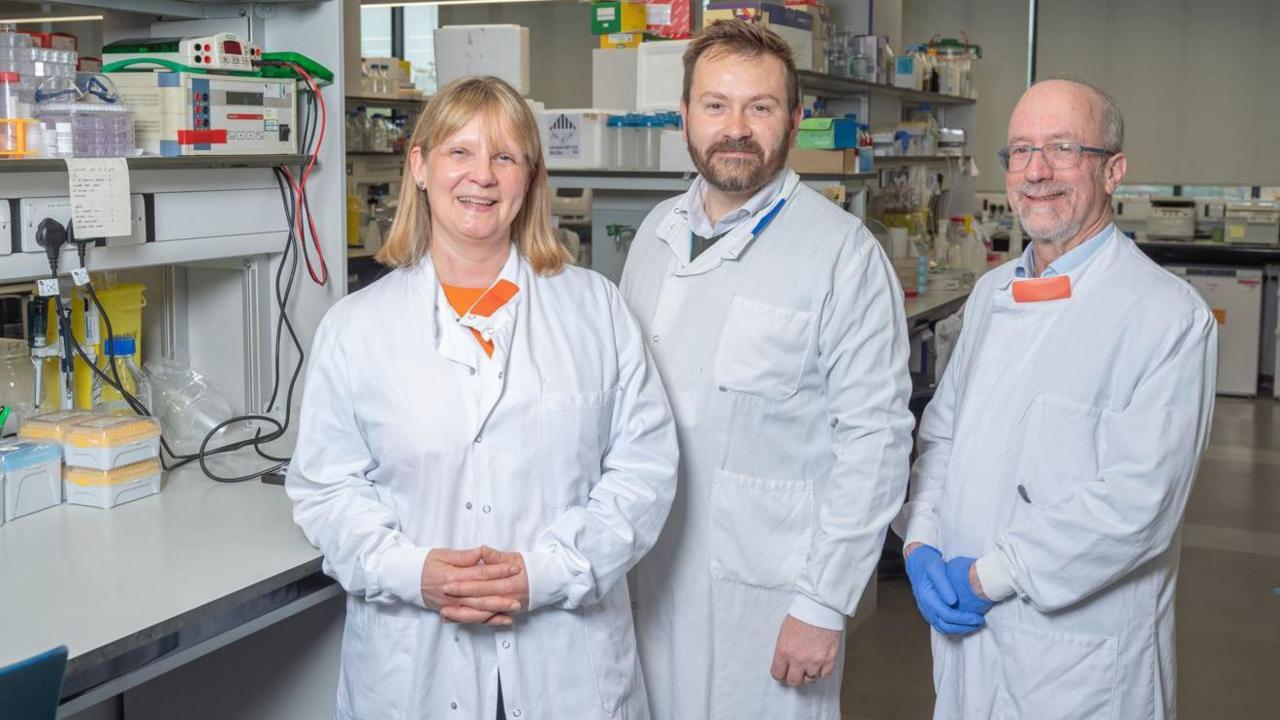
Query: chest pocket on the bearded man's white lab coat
(764, 349)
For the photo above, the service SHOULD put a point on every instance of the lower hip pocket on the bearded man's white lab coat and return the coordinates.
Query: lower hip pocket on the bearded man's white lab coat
(761, 530)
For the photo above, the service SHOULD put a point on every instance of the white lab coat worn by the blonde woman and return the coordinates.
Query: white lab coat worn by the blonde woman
(560, 446)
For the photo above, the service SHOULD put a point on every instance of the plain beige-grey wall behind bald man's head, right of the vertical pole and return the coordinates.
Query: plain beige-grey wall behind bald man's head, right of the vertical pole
(1199, 83)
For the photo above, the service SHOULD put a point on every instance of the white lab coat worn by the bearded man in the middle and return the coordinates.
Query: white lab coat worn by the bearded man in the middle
(785, 359)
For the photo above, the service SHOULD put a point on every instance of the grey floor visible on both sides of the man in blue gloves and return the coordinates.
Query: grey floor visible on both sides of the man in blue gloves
(1228, 595)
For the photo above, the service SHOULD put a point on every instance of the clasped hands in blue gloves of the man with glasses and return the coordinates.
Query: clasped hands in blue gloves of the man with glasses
(948, 593)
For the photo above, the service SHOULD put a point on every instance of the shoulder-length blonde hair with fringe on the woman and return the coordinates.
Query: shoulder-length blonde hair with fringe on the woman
(506, 115)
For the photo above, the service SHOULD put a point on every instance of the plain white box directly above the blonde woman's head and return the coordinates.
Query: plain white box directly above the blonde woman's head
(500, 51)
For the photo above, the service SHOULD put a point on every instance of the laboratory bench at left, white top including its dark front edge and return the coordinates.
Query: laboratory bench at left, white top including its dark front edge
(143, 589)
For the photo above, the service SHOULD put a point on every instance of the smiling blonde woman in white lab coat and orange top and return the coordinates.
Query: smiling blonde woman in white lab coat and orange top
(486, 448)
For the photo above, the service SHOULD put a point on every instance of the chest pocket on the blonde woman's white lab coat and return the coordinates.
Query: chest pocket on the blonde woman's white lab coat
(574, 435)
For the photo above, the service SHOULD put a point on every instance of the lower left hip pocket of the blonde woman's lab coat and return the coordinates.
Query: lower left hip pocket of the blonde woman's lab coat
(377, 663)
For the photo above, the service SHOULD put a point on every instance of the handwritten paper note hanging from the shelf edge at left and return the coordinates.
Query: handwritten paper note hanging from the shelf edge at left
(100, 197)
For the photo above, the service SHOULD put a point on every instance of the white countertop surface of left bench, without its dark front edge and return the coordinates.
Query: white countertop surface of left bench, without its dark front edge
(86, 578)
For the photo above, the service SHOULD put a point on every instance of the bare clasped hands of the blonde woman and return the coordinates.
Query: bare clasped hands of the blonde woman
(481, 586)
